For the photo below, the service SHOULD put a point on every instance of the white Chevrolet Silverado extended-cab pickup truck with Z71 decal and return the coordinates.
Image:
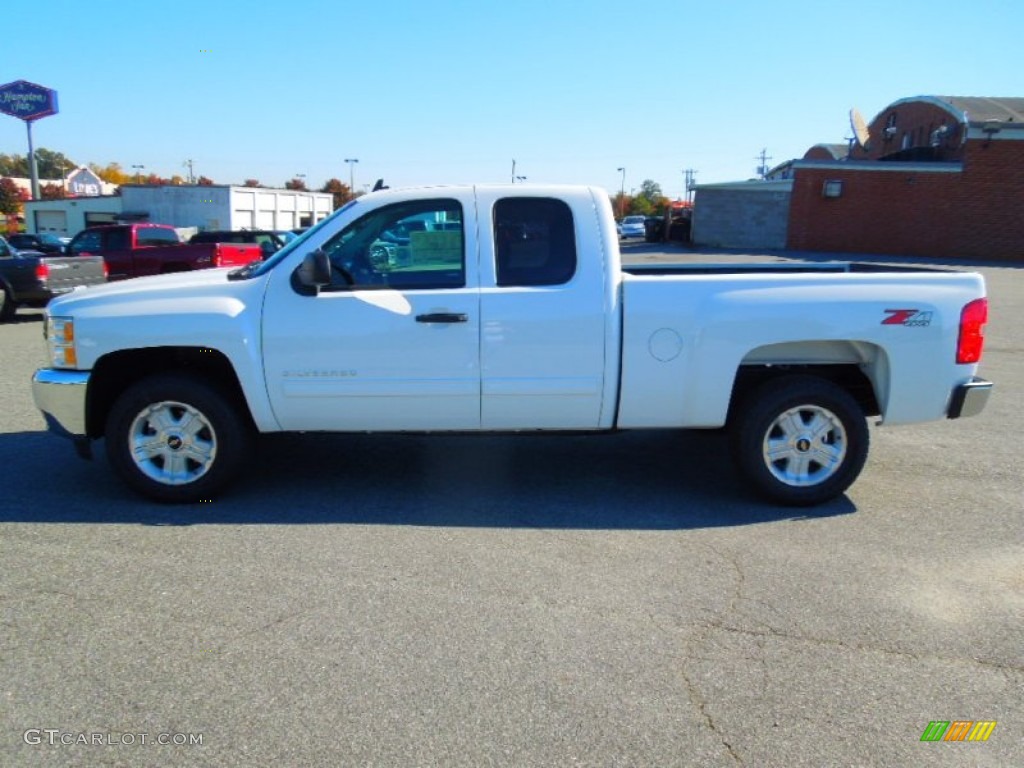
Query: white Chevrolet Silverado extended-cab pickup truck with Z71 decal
(506, 310)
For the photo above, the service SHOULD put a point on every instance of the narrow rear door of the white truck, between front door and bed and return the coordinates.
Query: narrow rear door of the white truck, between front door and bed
(543, 313)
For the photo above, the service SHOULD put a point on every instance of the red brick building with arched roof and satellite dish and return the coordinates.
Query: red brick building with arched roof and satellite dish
(934, 177)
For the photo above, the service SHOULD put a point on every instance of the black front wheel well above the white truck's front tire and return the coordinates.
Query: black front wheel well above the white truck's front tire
(116, 372)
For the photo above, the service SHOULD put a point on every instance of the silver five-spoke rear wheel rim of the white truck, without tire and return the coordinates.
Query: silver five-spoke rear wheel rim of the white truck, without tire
(805, 446)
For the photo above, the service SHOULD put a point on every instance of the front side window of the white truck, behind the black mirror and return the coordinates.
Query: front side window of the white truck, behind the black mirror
(419, 244)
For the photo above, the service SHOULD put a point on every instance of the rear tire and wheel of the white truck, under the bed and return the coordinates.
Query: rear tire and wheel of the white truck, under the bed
(800, 441)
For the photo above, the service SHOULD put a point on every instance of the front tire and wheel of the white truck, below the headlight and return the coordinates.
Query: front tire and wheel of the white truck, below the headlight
(177, 440)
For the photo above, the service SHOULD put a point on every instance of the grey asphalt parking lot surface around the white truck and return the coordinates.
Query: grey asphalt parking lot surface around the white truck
(518, 602)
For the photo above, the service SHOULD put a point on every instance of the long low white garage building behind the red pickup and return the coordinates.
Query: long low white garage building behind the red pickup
(185, 207)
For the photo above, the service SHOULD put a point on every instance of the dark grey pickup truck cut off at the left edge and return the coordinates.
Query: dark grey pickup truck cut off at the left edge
(32, 279)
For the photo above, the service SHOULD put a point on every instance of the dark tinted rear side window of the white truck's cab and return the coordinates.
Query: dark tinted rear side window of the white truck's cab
(535, 242)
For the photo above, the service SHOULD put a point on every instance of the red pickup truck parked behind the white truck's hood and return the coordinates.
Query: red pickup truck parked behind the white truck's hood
(137, 250)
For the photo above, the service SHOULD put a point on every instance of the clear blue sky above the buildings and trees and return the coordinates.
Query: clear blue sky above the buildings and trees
(447, 92)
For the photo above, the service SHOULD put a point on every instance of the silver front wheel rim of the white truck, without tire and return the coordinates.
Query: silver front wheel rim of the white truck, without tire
(173, 443)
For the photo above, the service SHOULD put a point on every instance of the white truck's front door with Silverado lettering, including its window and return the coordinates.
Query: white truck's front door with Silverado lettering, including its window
(394, 344)
